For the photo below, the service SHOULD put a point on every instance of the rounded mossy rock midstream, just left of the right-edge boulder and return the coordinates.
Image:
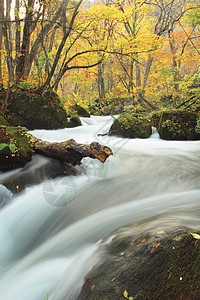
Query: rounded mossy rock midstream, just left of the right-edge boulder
(131, 125)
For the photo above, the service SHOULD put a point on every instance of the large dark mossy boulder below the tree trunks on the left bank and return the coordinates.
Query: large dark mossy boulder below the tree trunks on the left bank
(31, 109)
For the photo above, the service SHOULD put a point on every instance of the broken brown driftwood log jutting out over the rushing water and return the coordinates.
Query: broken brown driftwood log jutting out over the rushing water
(70, 151)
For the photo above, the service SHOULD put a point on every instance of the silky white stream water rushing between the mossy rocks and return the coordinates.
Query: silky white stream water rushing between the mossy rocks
(52, 233)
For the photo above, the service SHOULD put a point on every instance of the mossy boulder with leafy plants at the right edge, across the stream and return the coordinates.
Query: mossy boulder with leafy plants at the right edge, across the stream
(176, 125)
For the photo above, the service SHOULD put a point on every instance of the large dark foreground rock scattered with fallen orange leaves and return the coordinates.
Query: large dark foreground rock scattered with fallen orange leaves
(150, 266)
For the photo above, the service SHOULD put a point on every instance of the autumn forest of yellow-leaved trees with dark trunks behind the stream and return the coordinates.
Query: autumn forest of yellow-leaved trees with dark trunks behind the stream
(108, 52)
